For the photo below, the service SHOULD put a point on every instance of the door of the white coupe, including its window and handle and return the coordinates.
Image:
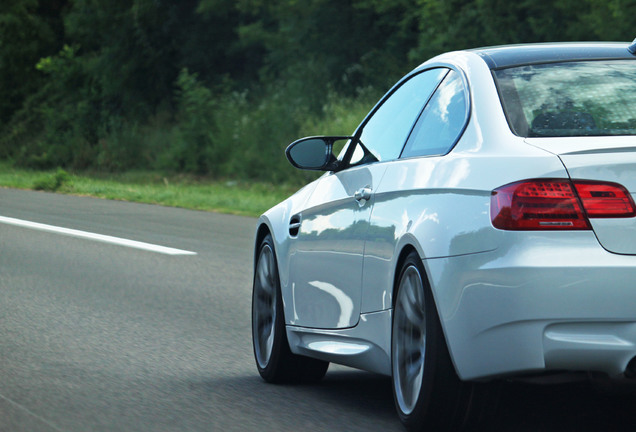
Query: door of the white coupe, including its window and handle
(326, 254)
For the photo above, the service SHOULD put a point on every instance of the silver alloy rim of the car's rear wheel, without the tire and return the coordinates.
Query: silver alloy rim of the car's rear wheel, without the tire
(409, 340)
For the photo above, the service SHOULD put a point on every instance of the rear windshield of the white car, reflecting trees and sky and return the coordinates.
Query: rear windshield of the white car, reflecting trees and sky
(570, 99)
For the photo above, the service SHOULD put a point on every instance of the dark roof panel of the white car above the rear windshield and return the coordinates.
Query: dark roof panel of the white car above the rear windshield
(518, 55)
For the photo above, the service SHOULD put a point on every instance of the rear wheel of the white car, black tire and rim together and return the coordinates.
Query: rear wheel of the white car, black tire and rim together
(428, 394)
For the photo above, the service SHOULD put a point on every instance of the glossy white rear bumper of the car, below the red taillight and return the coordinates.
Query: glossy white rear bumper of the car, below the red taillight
(543, 302)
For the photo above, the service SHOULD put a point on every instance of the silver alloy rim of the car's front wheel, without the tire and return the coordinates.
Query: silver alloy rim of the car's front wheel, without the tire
(264, 306)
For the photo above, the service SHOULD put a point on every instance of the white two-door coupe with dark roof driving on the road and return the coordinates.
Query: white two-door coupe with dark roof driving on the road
(478, 224)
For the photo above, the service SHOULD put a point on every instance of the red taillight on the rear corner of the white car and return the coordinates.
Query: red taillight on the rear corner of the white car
(554, 204)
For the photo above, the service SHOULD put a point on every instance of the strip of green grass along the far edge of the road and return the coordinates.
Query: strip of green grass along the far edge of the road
(249, 199)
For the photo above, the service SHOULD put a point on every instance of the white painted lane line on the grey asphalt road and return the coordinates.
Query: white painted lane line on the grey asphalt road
(97, 237)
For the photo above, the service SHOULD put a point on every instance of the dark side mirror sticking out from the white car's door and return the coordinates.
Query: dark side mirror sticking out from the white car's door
(314, 153)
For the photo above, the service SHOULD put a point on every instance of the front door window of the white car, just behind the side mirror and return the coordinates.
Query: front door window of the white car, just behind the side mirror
(384, 134)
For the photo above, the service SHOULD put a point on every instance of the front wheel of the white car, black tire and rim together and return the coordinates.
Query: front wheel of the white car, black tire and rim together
(274, 360)
